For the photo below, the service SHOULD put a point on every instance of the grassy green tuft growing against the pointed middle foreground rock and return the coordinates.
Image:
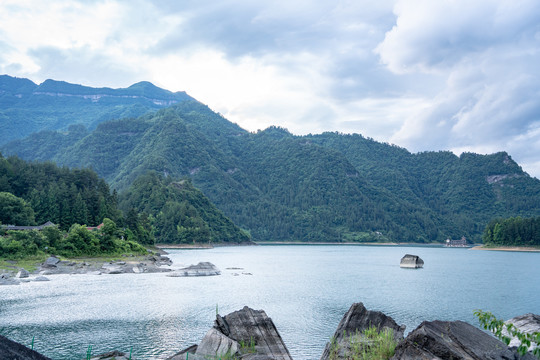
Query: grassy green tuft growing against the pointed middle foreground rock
(370, 344)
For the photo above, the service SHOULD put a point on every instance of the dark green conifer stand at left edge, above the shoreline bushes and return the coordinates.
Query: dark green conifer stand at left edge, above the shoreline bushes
(44, 192)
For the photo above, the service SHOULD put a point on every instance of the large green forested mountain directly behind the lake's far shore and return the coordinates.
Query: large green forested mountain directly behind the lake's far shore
(326, 187)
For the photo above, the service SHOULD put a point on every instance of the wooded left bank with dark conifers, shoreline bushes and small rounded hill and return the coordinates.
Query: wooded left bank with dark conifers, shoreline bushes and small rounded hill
(35, 193)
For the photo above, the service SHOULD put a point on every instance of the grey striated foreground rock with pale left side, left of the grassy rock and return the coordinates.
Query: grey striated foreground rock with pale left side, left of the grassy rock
(247, 334)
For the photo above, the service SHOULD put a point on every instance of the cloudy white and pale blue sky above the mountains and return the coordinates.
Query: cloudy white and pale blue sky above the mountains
(456, 75)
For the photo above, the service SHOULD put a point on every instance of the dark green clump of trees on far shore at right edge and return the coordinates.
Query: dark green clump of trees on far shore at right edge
(514, 231)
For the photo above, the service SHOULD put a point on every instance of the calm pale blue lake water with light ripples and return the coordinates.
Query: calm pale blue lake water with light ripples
(304, 289)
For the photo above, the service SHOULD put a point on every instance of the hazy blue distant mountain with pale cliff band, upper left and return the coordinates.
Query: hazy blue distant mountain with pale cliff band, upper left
(26, 107)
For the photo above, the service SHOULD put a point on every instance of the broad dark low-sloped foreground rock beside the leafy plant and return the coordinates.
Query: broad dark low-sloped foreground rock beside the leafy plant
(456, 340)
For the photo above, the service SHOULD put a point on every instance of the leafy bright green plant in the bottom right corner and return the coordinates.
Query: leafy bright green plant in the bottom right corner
(497, 326)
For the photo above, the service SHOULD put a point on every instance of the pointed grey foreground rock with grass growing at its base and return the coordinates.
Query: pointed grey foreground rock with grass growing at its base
(354, 322)
